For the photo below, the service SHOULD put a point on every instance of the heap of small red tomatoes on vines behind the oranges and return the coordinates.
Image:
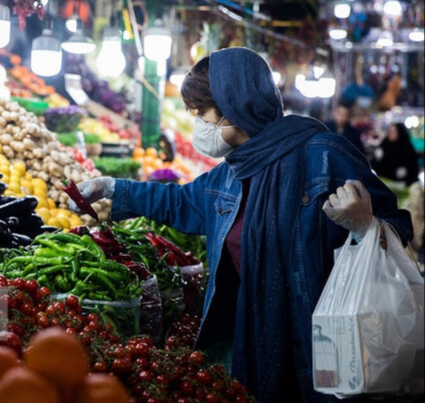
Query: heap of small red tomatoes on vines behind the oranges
(152, 374)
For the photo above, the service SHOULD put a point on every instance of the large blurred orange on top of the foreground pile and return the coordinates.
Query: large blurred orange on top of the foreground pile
(58, 356)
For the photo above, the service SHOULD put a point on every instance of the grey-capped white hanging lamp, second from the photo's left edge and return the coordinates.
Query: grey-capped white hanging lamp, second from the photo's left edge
(46, 54)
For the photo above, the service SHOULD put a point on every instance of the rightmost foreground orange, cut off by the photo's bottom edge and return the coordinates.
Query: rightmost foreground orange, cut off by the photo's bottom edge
(101, 388)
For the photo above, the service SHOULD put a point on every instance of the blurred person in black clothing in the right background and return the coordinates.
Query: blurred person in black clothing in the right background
(396, 158)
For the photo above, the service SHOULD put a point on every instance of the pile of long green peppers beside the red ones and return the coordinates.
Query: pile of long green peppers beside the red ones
(72, 264)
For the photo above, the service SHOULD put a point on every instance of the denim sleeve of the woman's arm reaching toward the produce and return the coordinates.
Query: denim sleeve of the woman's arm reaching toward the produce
(179, 206)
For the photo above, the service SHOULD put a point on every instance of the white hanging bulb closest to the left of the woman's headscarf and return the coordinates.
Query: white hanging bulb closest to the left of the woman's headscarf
(157, 41)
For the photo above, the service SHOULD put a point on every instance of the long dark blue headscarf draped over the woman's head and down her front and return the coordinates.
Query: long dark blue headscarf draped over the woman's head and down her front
(273, 160)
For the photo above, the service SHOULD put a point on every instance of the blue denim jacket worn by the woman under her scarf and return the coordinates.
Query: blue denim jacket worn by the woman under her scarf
(209, 205)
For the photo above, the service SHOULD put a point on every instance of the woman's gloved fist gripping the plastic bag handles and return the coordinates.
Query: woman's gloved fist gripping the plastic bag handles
(351, 208)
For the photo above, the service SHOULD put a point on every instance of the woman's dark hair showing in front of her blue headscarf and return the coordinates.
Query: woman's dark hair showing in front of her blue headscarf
(195, 89)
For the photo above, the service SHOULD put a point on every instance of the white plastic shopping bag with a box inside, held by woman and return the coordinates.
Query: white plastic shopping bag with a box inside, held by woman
(368, 325)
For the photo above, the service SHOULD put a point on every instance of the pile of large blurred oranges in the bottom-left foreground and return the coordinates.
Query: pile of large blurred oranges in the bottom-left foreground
(55, 366)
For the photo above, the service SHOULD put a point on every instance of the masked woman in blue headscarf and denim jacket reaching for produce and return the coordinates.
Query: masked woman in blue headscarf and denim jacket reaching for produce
(284, 197)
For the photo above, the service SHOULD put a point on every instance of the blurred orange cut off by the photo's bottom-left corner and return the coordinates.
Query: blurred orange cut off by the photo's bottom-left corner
(22, 385)
